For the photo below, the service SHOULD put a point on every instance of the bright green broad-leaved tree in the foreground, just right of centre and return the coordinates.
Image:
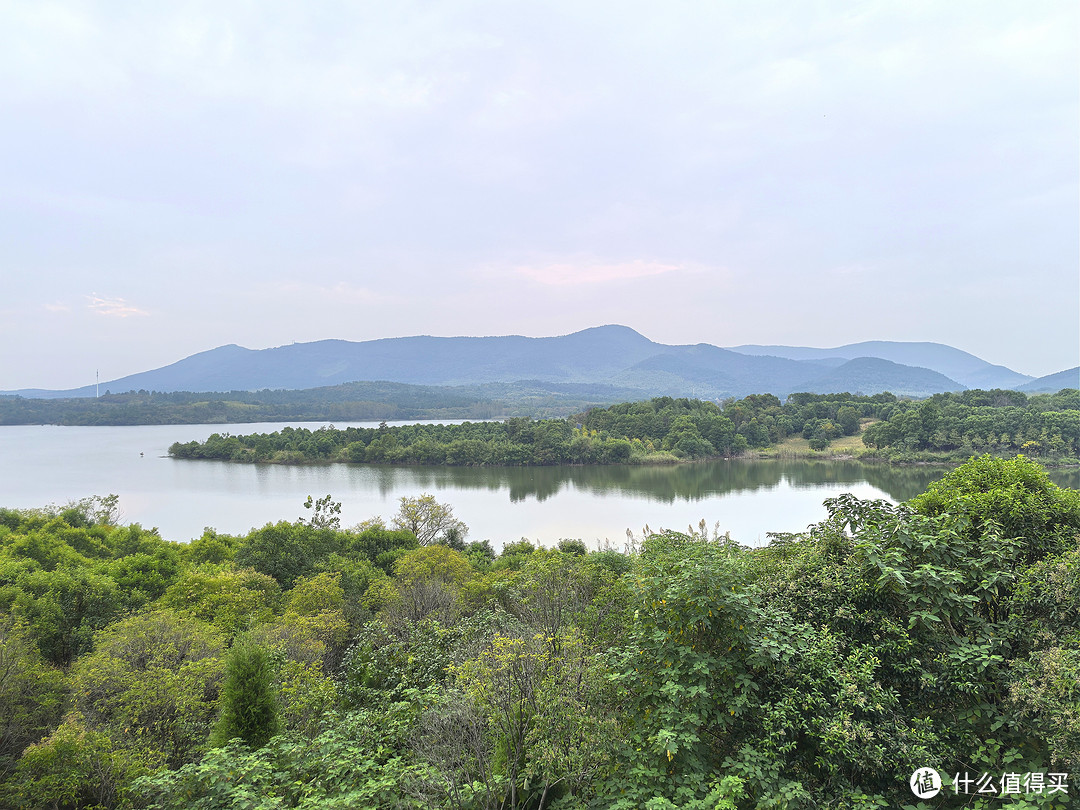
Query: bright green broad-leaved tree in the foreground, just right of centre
(686, 670)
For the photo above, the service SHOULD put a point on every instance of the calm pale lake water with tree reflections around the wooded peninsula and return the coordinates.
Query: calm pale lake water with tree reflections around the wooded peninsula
(43, 465)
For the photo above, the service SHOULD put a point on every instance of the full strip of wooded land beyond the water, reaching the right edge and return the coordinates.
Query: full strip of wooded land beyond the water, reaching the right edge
(666, 429)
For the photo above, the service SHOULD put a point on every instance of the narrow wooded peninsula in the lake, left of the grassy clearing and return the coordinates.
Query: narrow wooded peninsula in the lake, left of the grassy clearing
(663, 429)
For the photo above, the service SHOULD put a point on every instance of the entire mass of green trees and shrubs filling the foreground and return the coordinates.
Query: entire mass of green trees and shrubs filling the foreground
(305, 666)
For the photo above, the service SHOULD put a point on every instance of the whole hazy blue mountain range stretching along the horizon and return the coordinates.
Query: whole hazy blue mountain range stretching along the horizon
(612, 356)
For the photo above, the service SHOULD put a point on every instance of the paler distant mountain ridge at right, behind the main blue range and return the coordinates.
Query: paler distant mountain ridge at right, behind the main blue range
(957, 366)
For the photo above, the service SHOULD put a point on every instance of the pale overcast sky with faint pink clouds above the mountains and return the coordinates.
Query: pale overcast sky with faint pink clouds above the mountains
(180, 177)
